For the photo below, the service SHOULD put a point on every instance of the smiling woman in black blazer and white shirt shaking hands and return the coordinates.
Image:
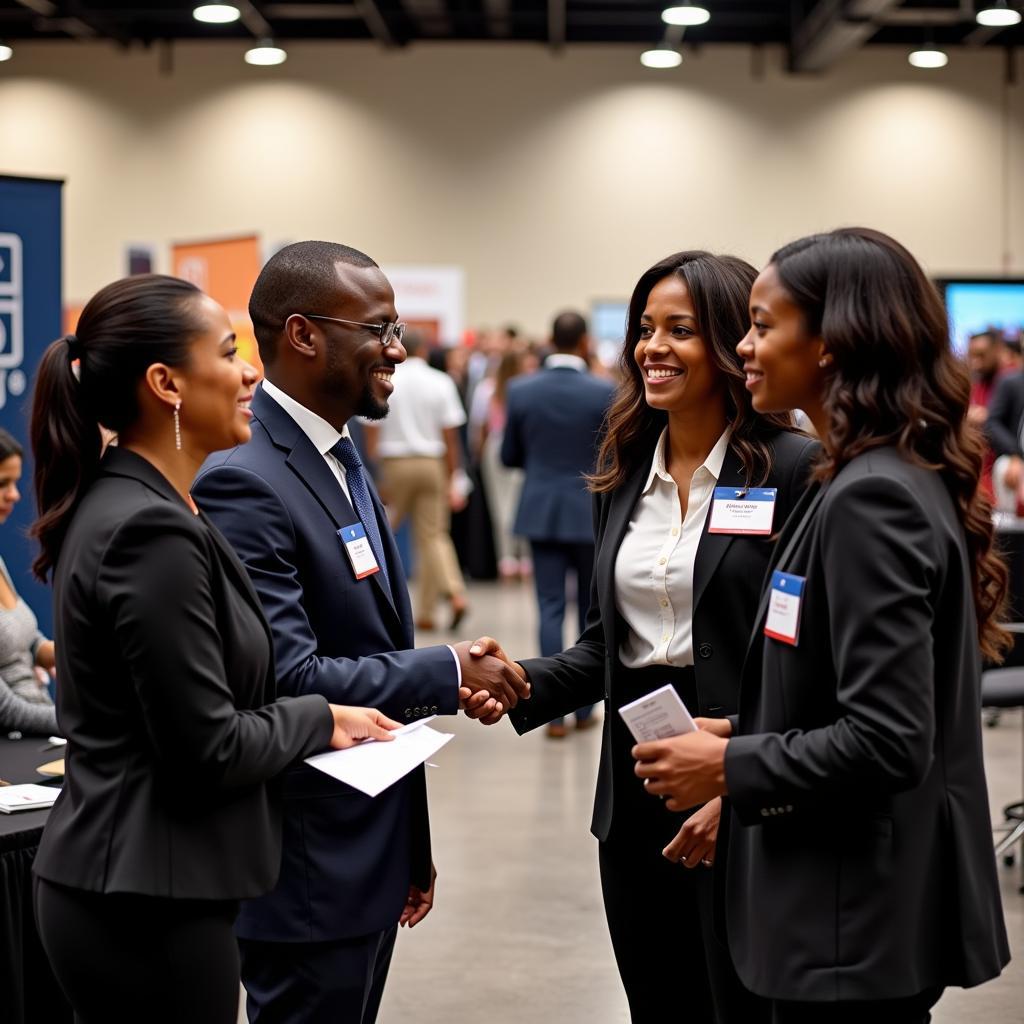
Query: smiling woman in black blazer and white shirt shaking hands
(673, 604)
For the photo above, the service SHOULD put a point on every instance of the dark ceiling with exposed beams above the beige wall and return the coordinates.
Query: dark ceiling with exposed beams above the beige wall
(818, 32)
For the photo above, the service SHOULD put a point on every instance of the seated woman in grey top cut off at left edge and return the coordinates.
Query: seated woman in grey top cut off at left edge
(27, 657)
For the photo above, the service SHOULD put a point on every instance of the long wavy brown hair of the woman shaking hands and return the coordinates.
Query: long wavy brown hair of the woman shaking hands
(720, 290)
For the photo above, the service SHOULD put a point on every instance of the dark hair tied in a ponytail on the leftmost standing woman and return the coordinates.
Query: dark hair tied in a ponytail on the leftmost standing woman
(91, 379)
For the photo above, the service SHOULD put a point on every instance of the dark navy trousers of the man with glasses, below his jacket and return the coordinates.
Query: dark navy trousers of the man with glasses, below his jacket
(339, 983)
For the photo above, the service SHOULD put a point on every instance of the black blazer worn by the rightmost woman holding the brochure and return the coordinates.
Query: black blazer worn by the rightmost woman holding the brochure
(865, 870)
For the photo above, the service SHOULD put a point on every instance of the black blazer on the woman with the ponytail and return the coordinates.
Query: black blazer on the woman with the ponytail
(167, 699)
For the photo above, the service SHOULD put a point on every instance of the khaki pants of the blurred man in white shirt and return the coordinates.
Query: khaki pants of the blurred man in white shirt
(417, 488)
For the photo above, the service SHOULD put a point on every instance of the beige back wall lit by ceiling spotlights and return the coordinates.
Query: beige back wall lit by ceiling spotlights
(553, 181)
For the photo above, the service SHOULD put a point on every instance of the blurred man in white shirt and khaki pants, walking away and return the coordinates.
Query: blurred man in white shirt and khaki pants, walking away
(419, 456)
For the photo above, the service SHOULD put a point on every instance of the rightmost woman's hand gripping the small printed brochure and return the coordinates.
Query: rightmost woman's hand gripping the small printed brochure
(687, 771)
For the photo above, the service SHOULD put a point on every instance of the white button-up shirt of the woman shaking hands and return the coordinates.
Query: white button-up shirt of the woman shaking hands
(655, 567)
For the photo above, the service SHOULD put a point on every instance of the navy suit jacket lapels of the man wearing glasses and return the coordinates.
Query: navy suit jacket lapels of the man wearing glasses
(304, 459)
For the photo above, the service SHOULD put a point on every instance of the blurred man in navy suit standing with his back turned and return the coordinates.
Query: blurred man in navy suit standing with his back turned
(552, 433)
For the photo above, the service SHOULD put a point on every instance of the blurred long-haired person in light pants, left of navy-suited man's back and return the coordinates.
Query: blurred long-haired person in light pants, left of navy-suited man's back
(503, 485)
